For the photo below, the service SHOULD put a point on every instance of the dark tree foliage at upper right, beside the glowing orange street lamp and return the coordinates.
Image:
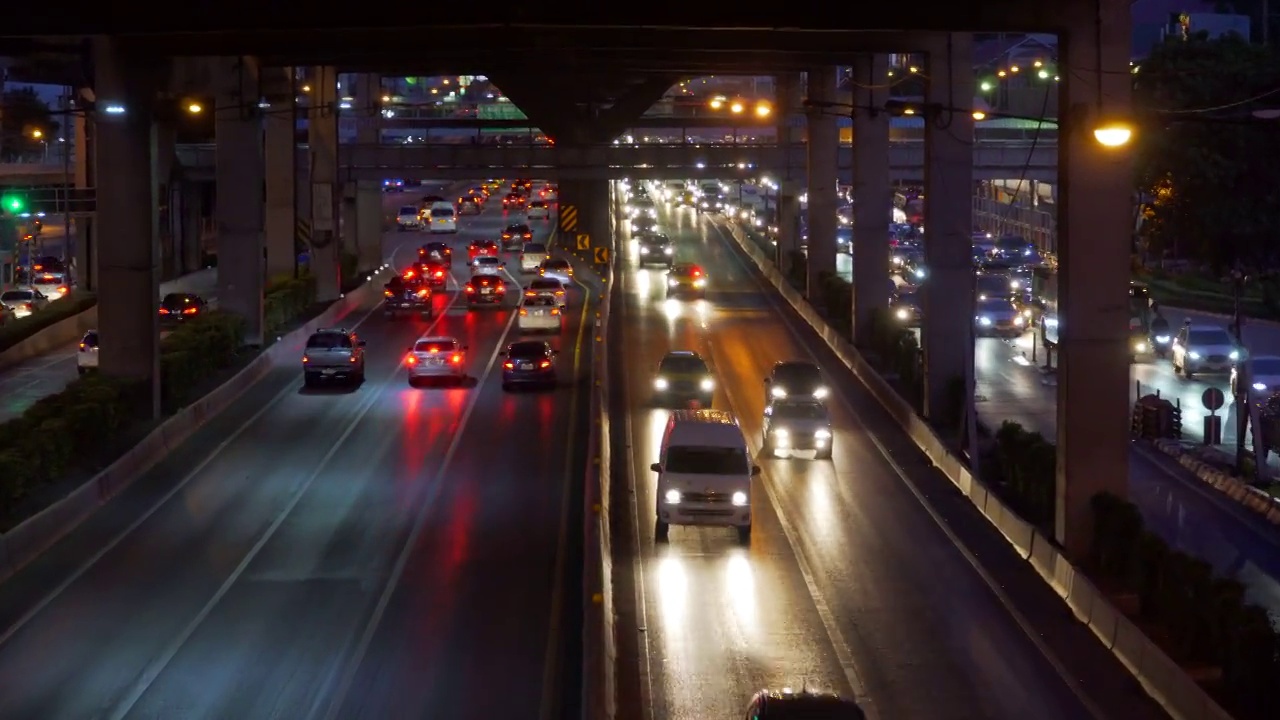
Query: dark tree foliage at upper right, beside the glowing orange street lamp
(1210, 168)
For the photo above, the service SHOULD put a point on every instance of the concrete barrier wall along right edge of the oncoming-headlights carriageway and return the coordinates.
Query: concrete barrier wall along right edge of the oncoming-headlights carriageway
(1160, 677)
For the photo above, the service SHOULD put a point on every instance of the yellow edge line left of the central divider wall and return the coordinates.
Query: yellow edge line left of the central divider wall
(551, 660)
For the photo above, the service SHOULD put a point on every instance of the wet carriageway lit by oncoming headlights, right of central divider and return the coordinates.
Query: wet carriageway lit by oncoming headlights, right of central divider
(853, 581)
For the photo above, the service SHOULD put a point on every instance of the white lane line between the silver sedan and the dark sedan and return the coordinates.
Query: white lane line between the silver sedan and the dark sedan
(376, 619)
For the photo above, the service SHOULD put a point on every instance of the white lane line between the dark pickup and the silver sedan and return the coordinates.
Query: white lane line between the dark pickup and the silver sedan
(157, 667)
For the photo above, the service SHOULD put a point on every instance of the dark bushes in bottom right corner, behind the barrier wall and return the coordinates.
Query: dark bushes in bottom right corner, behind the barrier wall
(1203, 619)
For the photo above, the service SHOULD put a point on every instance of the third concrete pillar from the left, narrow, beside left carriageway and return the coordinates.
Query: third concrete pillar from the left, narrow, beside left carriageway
(281, 162)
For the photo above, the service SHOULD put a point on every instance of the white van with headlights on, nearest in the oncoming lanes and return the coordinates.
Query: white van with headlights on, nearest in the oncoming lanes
(705, 473)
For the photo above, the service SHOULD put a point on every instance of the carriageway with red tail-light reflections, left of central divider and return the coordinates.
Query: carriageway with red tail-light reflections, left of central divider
(245, 585)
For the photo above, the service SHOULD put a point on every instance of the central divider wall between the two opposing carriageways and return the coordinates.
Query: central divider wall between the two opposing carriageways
(600, 640)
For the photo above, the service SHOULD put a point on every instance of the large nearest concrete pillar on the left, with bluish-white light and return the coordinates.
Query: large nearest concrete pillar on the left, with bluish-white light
(129, 265)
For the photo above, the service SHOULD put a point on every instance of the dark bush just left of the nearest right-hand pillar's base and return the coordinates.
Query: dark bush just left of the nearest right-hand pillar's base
(1028, 467)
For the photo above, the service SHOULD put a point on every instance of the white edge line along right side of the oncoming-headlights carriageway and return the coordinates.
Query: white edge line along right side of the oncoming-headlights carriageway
(1002, 598)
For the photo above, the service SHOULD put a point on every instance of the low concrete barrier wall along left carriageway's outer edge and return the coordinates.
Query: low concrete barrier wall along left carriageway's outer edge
(30, 539)
